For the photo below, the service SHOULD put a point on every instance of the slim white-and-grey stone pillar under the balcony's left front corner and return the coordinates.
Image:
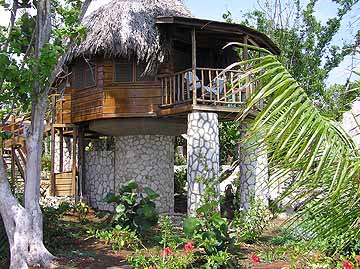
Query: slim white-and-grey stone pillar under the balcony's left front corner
(202, 154)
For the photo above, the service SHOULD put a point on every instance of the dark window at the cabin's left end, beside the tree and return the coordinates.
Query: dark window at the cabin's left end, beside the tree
(84, 75)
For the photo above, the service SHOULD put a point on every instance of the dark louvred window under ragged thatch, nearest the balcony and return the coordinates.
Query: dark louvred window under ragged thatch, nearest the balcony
(126, 72)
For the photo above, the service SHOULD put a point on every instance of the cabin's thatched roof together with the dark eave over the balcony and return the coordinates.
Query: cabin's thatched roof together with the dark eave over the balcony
(130, 29)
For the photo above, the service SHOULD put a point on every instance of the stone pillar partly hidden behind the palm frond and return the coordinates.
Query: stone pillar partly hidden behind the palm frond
(253, 166)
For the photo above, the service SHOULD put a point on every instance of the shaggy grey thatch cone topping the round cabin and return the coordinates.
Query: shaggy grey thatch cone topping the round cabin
(126, 28)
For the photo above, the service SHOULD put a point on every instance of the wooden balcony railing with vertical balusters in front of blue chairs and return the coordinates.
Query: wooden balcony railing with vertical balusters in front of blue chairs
(205, 86)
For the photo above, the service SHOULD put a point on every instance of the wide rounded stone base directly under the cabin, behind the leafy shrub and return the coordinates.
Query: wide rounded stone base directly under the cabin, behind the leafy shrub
(149, 160)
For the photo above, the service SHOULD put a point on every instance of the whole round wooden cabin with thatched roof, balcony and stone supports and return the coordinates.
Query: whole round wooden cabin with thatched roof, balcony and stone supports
(146, 72)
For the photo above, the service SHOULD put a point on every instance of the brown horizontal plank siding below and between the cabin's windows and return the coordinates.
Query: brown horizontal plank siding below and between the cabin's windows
(110, 99)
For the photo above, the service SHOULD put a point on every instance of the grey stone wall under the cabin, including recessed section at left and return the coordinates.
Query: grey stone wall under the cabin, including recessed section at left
(147, 159)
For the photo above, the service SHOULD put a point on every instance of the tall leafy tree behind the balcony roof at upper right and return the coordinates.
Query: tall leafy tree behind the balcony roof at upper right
(307, 45)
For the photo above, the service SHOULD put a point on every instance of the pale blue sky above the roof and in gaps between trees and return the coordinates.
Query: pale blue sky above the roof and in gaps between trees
(213, 9)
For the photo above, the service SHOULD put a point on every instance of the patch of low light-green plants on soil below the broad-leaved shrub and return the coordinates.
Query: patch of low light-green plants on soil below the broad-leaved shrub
(119, 238)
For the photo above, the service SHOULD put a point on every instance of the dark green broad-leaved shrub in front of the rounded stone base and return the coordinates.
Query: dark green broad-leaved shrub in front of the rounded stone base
(135, 209)
